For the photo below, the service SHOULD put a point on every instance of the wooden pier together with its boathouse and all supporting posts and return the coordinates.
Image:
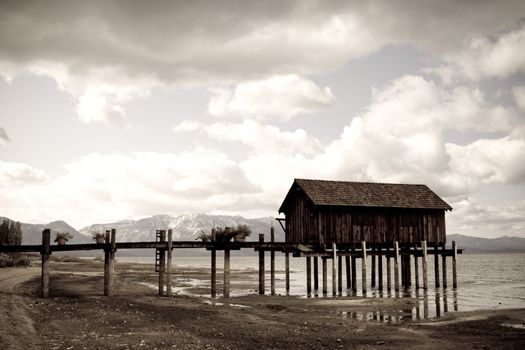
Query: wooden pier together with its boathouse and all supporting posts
(325, 220)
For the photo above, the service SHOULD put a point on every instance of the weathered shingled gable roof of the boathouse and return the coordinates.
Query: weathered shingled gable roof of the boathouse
(368, 194)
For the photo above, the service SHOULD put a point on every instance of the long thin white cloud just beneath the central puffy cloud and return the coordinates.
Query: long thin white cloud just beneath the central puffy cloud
(265, 138)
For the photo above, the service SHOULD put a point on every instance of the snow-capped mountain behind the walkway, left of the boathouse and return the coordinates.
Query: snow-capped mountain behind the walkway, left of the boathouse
(185, 227)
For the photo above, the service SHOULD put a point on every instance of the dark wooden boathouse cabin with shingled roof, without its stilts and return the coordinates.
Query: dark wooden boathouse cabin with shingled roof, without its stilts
(319, 211)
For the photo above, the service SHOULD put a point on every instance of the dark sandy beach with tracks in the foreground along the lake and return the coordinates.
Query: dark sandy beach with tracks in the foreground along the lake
(78, 316)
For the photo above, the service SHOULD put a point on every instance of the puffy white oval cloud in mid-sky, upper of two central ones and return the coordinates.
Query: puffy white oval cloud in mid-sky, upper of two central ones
(283, 97)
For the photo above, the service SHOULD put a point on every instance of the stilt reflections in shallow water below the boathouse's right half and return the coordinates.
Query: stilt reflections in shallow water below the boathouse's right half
(429, 305)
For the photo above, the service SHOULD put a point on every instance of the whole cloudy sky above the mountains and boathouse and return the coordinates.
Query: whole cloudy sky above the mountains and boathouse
(113, 110)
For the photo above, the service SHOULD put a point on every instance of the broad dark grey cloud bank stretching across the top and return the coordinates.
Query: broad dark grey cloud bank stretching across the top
(106, 53)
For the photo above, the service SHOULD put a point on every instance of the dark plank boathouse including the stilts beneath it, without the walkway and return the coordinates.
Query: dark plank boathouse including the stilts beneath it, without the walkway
(382, 219)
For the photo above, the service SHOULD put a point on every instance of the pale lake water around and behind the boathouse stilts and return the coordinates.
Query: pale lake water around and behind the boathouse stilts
(485, 281)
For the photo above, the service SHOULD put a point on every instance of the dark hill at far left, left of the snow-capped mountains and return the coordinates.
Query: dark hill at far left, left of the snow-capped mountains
(32, 233)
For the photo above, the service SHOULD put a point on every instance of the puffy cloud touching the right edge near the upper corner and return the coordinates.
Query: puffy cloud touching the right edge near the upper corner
(486, 58)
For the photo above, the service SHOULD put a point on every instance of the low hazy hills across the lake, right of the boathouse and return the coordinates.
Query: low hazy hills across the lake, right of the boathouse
(503, 244)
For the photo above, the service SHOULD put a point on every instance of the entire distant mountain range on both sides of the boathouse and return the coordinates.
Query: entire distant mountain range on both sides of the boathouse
(188, 227)
